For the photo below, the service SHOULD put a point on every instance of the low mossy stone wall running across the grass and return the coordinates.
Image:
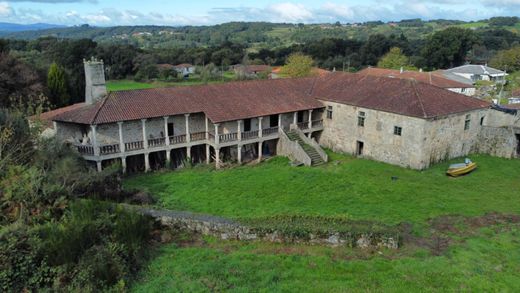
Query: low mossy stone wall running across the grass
(227, 229)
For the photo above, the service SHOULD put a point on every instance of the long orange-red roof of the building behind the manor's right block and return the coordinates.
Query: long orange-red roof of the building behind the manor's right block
(432, 78)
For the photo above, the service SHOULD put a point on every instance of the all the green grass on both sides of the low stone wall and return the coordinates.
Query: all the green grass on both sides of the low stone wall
(476, 259)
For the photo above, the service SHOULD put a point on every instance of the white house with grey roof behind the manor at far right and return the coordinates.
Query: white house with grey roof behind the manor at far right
(474, 73)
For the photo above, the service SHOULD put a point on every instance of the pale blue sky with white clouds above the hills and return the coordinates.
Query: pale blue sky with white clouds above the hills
(207, 12)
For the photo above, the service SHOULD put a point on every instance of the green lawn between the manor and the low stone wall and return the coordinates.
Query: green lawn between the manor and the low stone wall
(360, 189)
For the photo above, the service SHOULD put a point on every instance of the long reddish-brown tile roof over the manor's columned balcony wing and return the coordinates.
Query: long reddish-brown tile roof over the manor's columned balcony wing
(220, 102)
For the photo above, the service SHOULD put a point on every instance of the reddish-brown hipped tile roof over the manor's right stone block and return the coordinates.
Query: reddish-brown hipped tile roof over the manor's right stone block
(394, 95)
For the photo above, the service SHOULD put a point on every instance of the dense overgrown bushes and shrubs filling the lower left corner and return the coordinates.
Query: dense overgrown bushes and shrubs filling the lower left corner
(54, 233)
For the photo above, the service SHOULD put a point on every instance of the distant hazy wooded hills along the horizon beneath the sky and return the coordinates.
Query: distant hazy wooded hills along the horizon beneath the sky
(257, 35)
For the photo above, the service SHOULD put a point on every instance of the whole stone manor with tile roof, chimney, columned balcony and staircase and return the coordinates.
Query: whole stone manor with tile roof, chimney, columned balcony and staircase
(399, 121)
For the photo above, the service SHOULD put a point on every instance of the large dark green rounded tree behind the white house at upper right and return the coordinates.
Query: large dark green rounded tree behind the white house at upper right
(448, 48)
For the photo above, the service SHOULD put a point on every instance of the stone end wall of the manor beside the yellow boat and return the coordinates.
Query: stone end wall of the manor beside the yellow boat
(445, 138)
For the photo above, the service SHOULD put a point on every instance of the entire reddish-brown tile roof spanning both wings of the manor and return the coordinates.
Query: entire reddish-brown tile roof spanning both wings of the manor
(241, 100)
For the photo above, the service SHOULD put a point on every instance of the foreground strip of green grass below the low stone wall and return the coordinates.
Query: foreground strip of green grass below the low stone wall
(485, 262)
